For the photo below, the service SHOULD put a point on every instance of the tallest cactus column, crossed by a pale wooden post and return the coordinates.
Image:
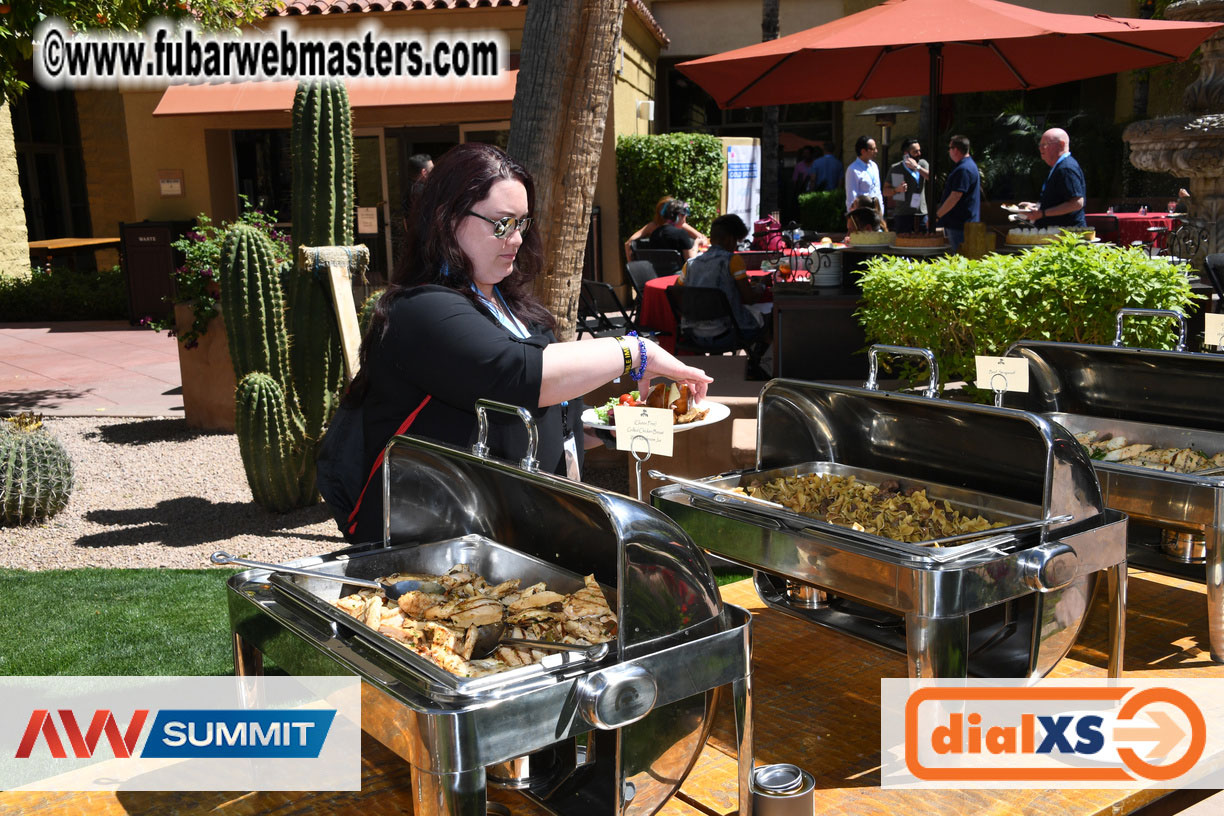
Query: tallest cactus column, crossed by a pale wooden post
(323, 211)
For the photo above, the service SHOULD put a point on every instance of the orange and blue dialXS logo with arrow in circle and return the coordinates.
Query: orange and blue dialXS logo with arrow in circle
(1052, 733)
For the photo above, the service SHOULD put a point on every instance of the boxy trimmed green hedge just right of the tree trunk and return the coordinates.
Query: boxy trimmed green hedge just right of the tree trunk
(685, 166)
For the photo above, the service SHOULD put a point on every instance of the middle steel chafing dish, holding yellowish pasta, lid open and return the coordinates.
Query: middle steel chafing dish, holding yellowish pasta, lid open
(1007, 604)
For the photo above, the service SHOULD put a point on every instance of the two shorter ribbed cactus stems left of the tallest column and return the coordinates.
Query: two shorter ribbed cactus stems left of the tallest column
(277, 453)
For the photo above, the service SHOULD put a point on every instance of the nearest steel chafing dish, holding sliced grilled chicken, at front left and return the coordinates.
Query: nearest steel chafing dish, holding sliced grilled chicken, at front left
(618, 736)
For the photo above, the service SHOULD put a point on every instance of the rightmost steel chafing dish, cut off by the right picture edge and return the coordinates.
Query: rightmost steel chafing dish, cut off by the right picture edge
(1165, 398)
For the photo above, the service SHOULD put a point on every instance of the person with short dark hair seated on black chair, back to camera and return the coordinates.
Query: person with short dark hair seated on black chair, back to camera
(720, 269)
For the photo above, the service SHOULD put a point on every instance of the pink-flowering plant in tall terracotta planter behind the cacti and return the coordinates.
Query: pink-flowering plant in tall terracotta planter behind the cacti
(205, 362)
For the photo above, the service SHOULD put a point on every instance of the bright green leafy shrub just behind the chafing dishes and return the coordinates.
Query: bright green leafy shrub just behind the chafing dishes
(1068, 292)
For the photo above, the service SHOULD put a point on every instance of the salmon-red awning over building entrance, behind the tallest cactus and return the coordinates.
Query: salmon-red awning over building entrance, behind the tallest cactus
(265, 97)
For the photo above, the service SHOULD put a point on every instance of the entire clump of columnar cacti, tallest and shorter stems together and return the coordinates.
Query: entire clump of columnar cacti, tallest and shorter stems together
(286, 343)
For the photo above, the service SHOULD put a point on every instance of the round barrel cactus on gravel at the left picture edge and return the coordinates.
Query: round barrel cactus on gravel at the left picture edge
(36, 472)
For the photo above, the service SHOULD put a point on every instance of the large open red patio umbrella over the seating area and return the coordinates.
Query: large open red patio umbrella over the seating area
(904, 48)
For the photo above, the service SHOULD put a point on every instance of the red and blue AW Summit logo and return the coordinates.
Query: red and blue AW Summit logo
(183, 733)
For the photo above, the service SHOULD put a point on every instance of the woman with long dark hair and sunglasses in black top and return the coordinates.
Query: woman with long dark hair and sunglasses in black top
(460, 324)
